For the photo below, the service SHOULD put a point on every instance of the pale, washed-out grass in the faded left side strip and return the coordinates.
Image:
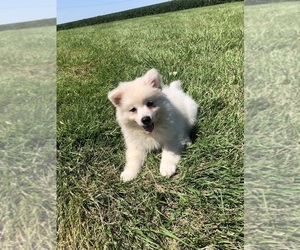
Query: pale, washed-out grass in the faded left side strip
(27, 144)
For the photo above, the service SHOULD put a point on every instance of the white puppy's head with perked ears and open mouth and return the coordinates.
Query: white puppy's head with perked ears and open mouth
(138, 102)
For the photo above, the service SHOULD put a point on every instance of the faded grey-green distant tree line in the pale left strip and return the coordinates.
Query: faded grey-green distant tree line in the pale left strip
(30, 24)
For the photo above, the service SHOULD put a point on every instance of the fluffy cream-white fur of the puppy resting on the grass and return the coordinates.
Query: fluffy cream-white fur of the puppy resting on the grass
(173, 114)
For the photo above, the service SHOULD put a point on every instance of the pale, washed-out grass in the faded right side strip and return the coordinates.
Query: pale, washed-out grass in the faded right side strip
(272, 126)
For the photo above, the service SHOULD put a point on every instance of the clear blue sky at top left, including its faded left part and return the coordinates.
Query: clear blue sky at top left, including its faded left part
(13, 11)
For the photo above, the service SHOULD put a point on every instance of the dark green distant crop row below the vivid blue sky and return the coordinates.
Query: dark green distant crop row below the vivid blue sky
(143, 11)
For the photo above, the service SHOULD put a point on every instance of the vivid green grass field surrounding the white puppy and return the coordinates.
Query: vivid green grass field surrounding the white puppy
(201, 207)
